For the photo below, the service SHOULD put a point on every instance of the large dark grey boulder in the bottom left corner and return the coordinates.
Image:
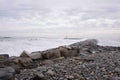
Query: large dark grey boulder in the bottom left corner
(7, 73)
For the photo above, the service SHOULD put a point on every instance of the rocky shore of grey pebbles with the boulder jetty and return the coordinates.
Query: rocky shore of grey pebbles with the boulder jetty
(85, 60)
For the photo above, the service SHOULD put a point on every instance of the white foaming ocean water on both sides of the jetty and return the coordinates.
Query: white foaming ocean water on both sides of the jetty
(15, 46)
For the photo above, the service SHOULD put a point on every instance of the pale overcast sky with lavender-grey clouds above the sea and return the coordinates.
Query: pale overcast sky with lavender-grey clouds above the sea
(60, 18)
